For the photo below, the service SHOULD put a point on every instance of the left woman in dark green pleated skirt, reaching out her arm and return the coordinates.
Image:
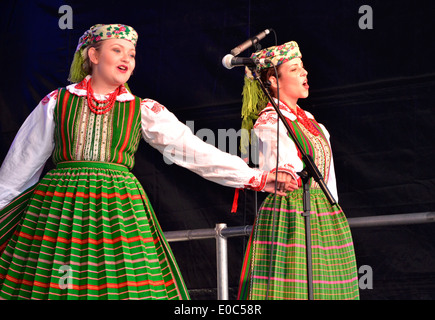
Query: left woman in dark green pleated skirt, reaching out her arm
(86, 230)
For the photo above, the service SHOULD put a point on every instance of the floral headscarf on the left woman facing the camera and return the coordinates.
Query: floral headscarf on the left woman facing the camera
(95, 34)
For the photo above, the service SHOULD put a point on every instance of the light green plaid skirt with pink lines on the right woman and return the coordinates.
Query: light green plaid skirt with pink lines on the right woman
(333, 260)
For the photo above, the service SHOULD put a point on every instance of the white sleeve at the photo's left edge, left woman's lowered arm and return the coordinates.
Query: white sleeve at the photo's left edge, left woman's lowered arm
(29, 151)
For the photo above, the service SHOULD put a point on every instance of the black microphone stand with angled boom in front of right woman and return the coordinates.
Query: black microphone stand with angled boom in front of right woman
(310, 171)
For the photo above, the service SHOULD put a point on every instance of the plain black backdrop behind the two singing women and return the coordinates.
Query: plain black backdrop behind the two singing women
(372, 88)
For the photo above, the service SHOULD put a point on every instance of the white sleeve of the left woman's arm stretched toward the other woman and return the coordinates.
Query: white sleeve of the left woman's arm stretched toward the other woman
(162, 130)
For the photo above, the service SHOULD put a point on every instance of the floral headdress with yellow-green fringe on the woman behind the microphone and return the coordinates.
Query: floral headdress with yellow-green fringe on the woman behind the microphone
(254, 99)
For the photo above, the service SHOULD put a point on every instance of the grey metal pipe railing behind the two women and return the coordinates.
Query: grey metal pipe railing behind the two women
(221, 233)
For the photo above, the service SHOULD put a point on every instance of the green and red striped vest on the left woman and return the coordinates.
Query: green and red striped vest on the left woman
(81, 135)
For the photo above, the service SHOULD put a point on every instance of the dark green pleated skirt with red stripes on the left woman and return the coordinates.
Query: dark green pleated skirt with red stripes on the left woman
(86, 231)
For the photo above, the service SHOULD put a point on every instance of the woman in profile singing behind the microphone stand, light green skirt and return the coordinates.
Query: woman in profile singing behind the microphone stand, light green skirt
(334, 267)
